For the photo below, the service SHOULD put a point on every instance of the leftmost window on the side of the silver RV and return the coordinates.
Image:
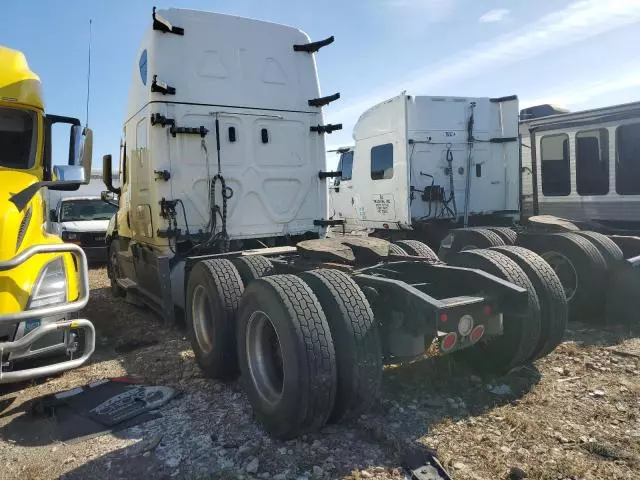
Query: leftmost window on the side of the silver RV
(555, 165)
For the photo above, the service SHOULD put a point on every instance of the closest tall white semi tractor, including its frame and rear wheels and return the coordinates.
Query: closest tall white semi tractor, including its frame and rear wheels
(223, 216)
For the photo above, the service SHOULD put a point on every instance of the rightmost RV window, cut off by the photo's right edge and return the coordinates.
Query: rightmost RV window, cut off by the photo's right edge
(628, 159)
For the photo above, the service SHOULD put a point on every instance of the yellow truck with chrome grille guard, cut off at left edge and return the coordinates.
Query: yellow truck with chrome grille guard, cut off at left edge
(43, 281)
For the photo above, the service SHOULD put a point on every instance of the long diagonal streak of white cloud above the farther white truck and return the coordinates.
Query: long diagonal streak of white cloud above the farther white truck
(578, 21)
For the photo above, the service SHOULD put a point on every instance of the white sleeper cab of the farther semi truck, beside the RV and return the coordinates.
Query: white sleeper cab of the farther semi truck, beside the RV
(424, 163)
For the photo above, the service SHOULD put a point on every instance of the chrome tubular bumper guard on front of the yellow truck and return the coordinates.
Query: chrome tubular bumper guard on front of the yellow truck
(22, 346)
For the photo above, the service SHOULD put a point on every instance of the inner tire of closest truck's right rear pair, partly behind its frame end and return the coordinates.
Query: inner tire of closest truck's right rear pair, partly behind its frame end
(520, 332)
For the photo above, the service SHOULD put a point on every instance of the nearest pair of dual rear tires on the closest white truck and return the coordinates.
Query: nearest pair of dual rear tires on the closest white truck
(309, 351)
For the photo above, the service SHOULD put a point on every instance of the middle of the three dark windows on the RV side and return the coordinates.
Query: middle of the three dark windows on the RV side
(592, 162)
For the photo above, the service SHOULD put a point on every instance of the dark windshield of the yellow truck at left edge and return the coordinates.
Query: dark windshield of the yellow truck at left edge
(17, 138)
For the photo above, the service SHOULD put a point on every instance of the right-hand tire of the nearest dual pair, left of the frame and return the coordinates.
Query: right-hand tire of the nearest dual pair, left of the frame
(356, 341)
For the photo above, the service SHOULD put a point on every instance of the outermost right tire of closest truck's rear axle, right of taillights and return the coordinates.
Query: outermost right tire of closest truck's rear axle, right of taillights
(554, 311)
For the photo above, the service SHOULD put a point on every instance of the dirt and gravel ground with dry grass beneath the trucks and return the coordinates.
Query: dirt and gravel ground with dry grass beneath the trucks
(573, 415)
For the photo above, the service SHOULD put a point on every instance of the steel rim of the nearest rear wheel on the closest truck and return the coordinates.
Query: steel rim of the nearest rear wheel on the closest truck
(264, 356)
